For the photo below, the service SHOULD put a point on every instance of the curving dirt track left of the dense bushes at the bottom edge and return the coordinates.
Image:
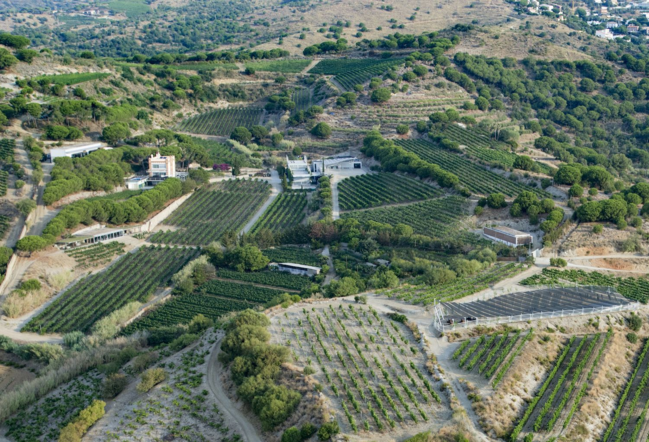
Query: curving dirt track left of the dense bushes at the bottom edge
(214, 372)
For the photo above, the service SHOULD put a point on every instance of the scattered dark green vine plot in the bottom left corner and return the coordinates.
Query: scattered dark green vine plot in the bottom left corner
(43, 421)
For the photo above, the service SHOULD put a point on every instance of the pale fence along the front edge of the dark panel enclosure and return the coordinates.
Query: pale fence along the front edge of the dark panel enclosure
(532, 316)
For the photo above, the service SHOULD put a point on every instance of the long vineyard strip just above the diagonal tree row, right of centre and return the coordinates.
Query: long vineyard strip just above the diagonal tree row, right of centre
(474, 177)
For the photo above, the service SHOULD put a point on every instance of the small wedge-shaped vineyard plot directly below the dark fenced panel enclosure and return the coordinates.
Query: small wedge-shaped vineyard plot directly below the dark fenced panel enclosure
(491, 355)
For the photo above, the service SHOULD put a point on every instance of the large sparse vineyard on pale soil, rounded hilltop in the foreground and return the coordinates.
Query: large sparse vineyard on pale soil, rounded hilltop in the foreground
(371, 367)
